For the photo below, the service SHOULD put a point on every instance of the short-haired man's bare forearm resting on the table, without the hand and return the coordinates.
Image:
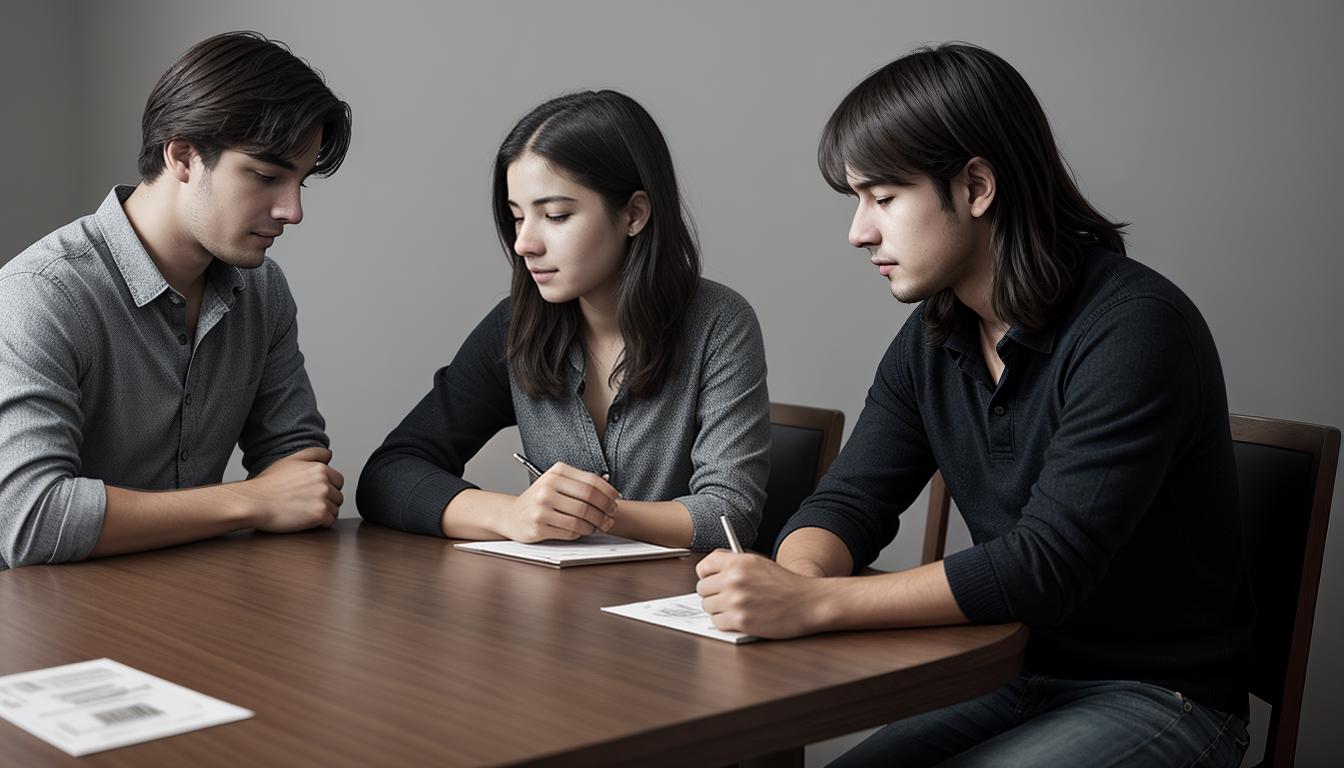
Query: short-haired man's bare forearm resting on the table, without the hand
(138, 521)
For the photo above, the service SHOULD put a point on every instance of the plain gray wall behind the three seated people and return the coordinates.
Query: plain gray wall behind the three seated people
(1213, 127)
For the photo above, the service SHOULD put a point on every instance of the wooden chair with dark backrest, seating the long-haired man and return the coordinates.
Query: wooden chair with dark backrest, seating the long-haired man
(1287, 477)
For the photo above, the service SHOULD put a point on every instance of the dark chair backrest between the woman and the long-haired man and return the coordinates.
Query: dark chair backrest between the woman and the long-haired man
(804, 442)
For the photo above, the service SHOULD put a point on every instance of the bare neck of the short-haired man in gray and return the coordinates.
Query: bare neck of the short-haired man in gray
(153, 213)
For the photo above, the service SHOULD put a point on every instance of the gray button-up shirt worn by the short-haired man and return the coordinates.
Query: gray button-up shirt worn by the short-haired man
(103, 383)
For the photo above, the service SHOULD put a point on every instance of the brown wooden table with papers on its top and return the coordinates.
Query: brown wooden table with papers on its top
(364, 646)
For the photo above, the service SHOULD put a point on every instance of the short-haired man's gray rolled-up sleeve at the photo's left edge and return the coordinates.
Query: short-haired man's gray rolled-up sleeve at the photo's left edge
(48, 512)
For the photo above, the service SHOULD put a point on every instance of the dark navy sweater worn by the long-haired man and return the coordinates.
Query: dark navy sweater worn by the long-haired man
(1097, 481)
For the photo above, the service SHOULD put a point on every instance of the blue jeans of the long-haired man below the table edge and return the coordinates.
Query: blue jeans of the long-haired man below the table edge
(1048, 722)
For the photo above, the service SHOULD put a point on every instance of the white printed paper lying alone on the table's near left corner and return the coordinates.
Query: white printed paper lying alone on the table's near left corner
(97, 705)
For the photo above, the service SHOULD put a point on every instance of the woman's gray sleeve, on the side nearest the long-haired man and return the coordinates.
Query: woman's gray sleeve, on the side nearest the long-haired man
(732, 450)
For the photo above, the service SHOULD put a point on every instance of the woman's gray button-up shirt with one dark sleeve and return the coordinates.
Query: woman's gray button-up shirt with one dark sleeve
(704, 440)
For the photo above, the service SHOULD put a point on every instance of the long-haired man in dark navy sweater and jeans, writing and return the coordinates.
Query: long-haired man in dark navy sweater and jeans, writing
(1075, 403)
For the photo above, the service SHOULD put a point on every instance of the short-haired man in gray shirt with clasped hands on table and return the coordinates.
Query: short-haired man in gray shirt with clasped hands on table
(139, 345)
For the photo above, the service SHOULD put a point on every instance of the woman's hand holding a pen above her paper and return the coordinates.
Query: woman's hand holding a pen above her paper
(562, 504)
